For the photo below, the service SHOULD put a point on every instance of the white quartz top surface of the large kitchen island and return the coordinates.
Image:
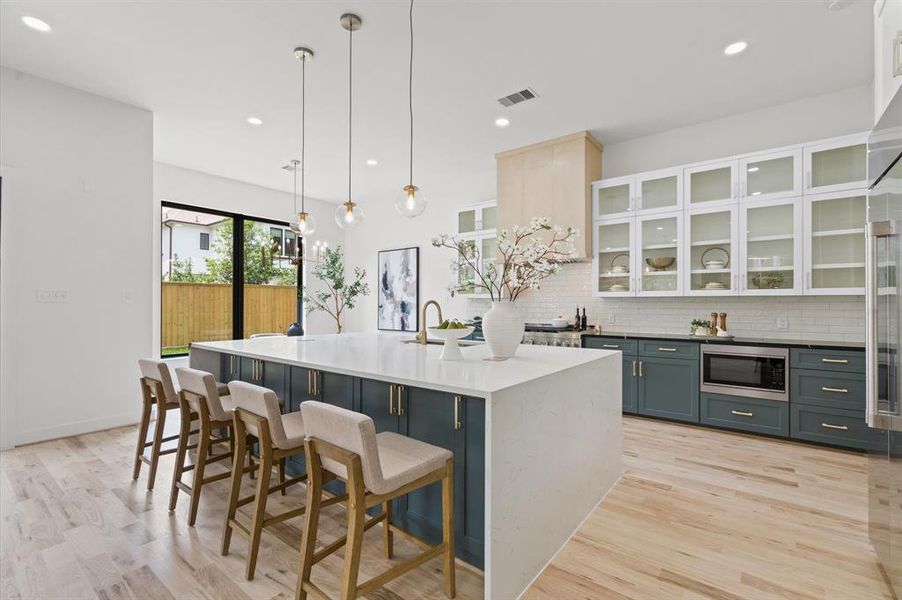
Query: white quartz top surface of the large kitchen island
(386, 357)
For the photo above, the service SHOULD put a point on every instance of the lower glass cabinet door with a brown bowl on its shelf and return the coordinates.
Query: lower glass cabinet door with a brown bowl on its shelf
(659, 256)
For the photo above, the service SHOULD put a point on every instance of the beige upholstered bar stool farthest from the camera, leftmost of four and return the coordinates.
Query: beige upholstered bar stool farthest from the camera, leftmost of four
(156, 388)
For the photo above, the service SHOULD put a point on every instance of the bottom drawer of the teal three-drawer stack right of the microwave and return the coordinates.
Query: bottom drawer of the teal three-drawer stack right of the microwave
(828, 425)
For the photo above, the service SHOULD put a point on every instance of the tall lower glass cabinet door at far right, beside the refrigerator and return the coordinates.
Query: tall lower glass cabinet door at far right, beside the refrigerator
(834, 233)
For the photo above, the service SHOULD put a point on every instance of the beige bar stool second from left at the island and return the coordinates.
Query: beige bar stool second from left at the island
(199, 399)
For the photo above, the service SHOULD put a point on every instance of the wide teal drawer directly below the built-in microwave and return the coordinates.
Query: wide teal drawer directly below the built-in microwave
(746, 414)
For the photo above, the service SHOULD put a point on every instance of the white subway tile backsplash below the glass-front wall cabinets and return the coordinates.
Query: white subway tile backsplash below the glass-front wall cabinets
(825, 318)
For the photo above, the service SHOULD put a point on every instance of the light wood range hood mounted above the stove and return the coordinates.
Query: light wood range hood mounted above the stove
(551, 179)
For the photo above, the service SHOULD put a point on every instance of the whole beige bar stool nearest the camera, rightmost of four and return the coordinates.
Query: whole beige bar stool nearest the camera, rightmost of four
(376, 468)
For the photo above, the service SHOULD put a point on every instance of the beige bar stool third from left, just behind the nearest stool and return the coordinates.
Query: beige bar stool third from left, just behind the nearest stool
(279, 437)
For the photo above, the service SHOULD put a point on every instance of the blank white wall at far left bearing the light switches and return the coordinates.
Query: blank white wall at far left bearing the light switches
(76, 219)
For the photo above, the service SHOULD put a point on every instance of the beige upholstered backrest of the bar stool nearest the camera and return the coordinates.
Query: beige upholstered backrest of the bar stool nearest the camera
(346, 429)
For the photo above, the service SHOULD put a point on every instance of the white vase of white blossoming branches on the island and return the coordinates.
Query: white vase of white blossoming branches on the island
(526, 255)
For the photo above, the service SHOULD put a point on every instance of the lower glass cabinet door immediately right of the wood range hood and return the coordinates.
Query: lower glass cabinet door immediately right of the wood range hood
(614, 258)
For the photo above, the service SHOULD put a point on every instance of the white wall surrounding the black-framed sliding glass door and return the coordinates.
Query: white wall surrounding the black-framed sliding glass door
(194, 188)
